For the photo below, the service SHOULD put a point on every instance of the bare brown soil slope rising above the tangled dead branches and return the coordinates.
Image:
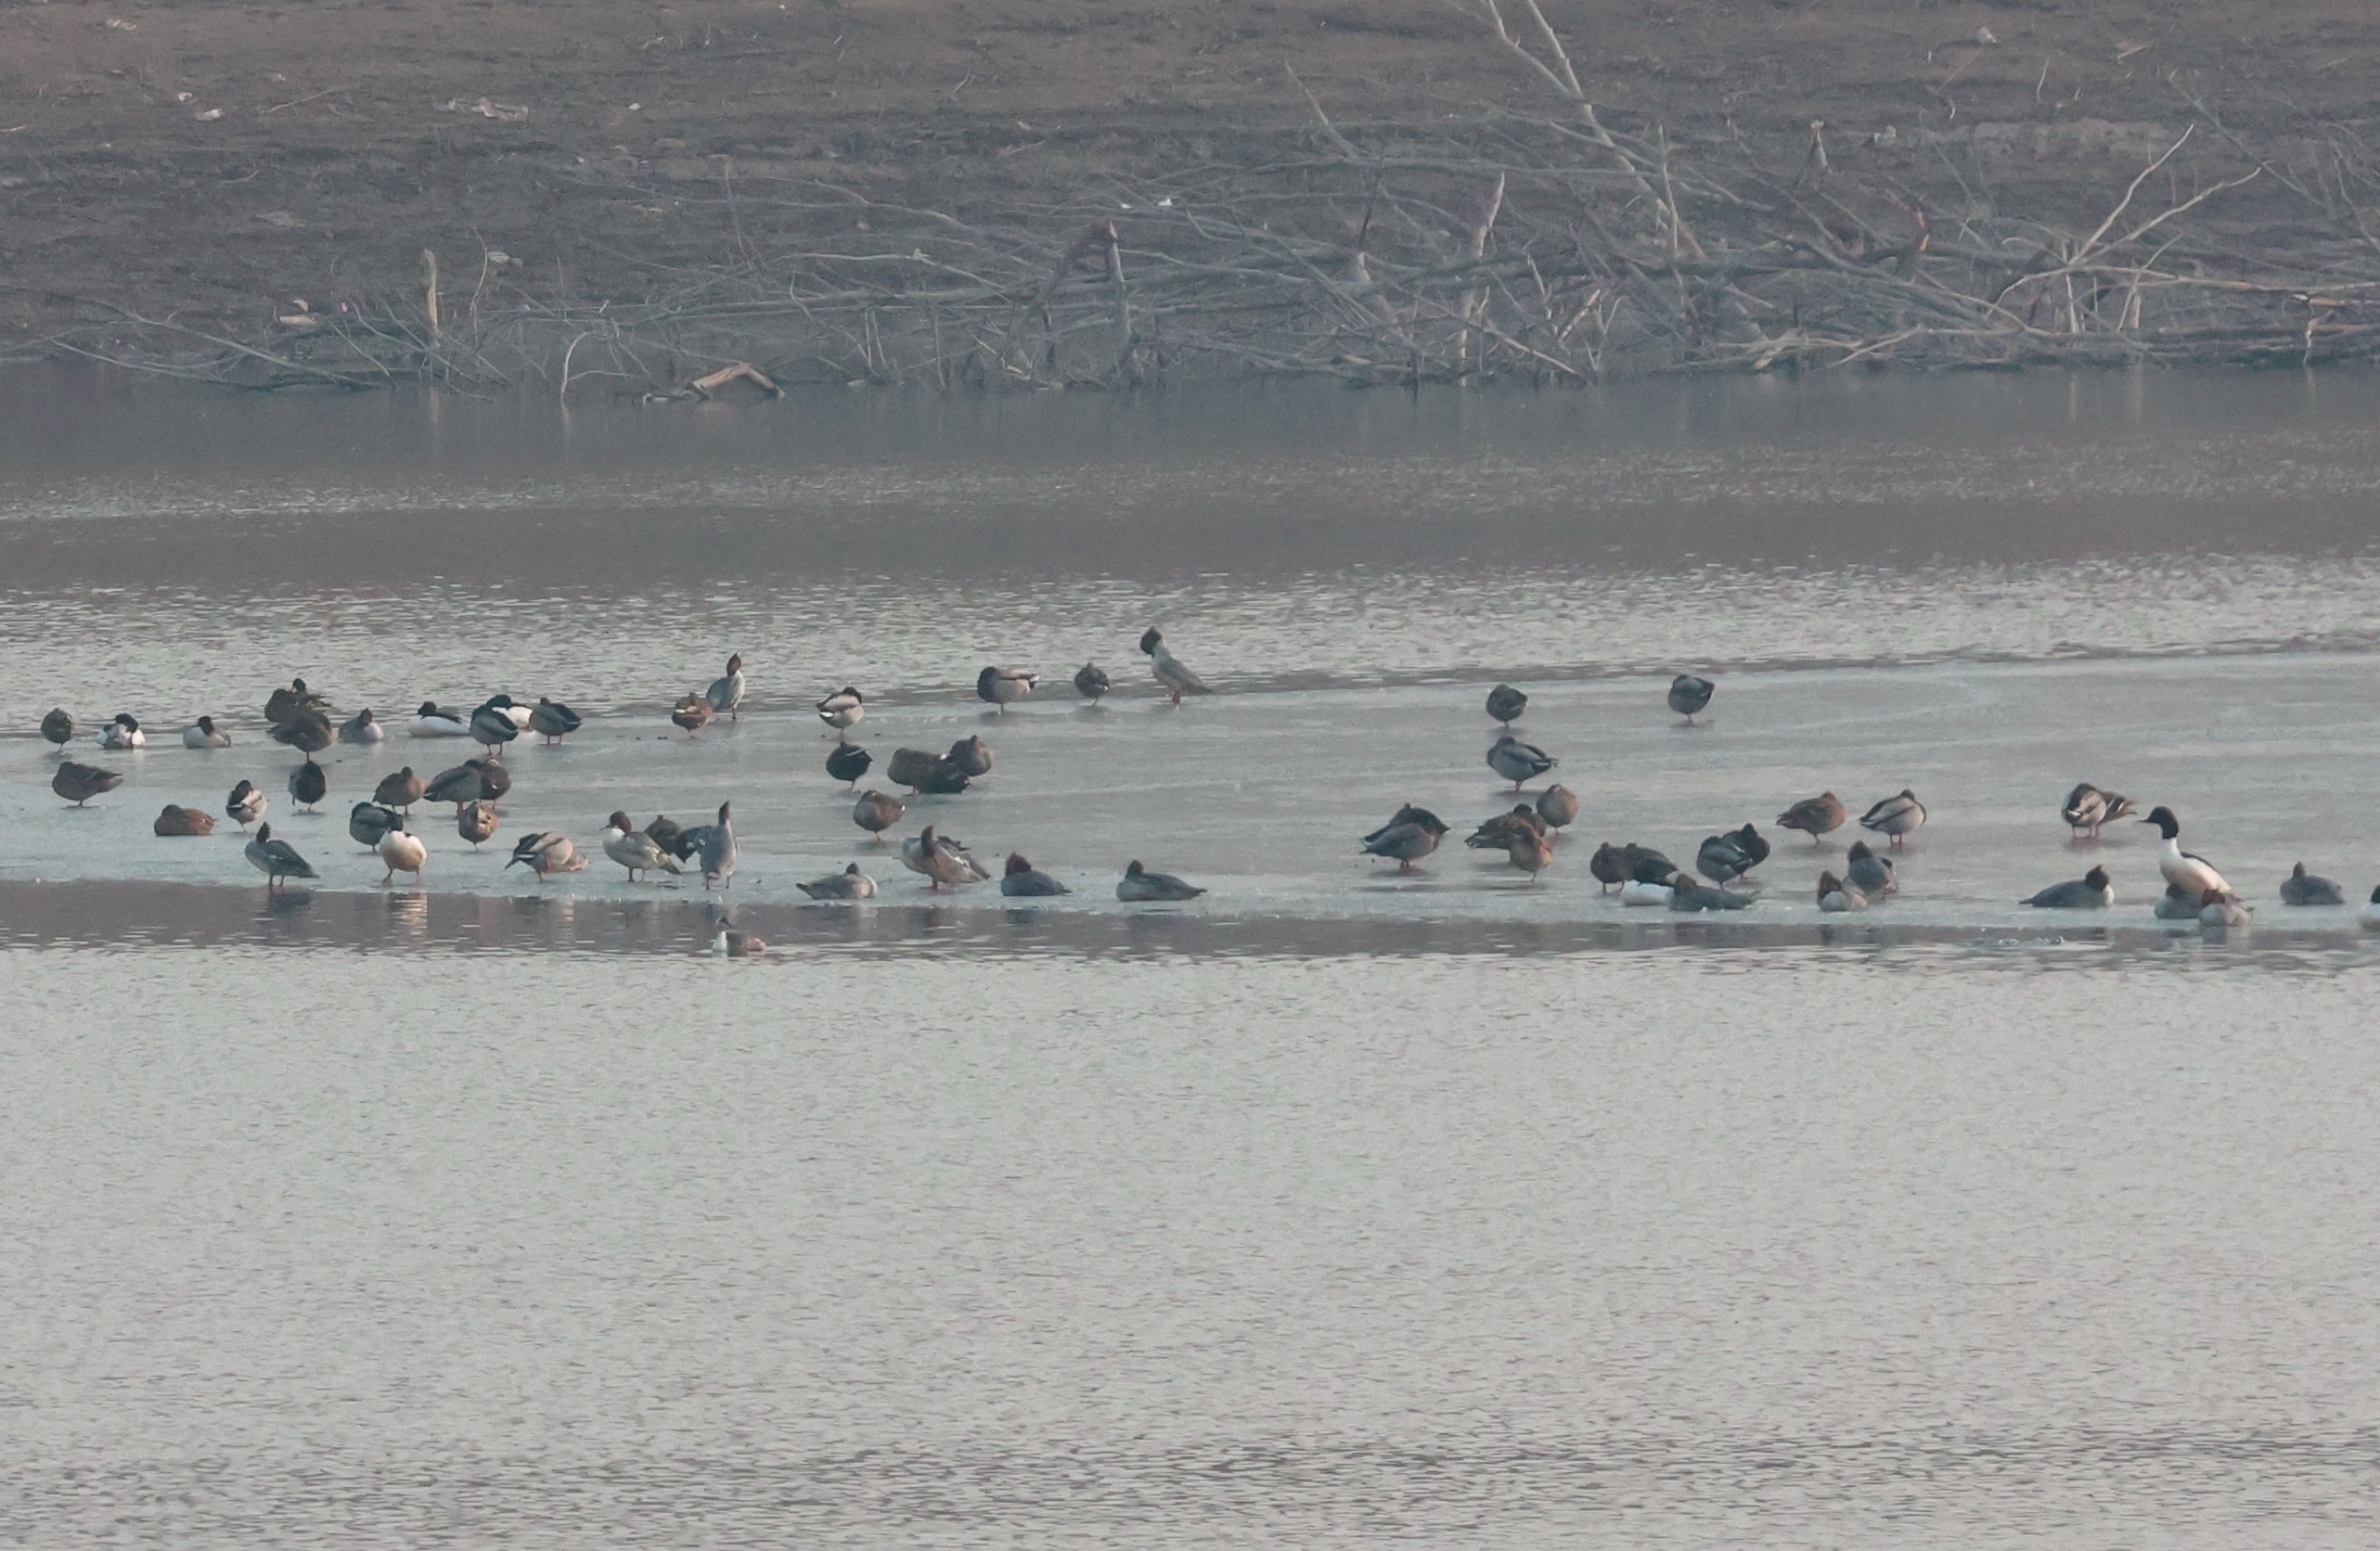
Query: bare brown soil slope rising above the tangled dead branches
(211, 163)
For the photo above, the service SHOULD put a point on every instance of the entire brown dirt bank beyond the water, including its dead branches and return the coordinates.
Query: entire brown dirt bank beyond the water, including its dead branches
(913, 189)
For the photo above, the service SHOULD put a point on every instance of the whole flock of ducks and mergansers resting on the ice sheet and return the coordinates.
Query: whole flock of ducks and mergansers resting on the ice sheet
(1527, 834)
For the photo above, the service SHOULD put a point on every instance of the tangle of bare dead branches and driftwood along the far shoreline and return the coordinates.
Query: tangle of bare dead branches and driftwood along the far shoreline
(1512, 246)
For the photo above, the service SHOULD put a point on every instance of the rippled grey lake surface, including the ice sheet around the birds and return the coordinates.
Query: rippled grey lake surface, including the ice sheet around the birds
(1332, 1210)
